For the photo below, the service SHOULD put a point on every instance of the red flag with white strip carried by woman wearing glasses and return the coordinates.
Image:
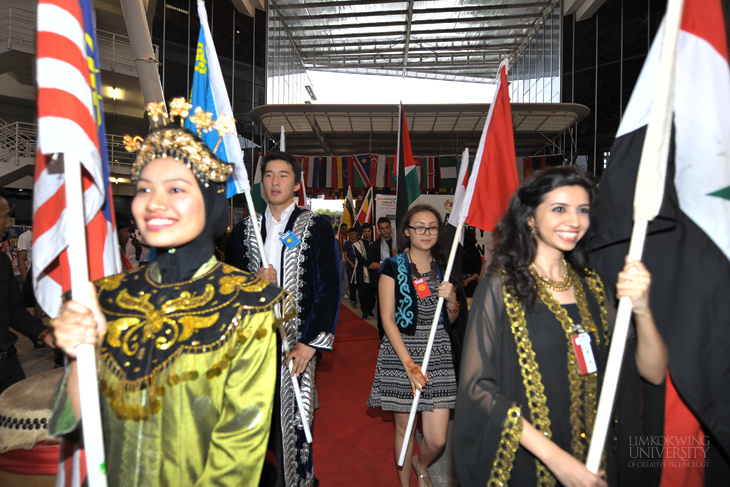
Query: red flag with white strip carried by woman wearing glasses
(494, 172)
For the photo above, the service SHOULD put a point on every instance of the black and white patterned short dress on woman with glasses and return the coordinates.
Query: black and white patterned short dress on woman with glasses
(391, 388)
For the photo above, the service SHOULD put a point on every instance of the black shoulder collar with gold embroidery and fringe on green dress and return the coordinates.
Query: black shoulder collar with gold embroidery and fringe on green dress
(172, 325)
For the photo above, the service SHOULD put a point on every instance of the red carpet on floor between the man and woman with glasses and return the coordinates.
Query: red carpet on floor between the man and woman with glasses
(353, 444)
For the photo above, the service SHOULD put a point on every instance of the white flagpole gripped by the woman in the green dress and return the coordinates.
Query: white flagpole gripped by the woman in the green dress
(85, 354)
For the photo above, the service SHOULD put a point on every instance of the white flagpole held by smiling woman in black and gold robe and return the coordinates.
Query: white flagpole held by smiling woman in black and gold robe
(647, 201)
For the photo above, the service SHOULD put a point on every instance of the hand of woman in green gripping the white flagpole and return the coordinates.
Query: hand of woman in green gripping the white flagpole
(77, 325)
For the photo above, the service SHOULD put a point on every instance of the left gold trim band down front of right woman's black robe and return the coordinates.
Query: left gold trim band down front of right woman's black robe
(531, 378)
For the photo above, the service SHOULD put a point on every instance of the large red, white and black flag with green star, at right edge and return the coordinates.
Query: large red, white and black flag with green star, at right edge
(687, 248)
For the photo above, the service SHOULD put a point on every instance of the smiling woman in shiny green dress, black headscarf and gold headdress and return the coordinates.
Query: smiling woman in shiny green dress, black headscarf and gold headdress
(186, 346)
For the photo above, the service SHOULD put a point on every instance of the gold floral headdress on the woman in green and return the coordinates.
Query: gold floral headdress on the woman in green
(180, 144)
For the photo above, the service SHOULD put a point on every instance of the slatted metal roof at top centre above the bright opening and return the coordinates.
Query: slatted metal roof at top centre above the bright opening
(462, 40)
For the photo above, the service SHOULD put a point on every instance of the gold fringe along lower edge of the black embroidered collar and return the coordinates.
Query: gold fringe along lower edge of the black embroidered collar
(140, 399)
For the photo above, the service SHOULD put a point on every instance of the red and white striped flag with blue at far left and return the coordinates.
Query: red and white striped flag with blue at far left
(69, 123)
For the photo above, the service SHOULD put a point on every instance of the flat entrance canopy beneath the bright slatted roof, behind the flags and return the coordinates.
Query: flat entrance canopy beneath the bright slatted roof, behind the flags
(434, 129)
